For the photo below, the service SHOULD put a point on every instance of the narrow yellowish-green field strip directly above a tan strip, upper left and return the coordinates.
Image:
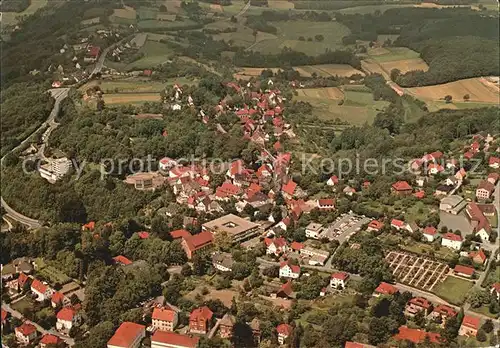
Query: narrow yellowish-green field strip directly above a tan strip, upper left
(121, 86)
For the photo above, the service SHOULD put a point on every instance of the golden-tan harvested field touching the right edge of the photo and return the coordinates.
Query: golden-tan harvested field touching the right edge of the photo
(479, 90)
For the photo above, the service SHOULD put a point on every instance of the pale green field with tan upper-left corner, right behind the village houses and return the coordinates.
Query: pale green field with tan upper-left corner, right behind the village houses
(358, 107)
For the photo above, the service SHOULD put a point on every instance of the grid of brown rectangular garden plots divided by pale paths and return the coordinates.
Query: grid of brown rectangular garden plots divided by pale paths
(416, 271)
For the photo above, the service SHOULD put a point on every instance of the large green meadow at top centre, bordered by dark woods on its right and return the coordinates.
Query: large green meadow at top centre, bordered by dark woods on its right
(289, 32)
